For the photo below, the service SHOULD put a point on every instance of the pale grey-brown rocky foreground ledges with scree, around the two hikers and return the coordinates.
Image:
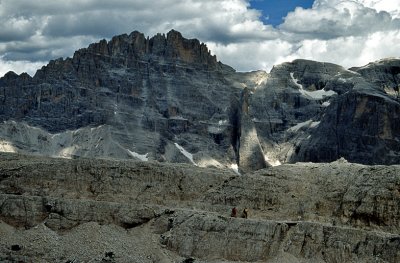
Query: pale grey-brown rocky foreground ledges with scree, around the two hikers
(86, 210)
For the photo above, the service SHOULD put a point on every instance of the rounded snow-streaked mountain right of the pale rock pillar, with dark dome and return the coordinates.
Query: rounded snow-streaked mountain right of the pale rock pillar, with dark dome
(321, 112)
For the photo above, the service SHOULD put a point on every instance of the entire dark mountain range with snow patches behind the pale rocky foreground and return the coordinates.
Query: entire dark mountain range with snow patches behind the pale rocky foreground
(167, 98)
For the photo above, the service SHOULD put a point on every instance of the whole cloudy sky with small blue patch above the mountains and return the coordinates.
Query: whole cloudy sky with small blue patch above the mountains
(245, 34)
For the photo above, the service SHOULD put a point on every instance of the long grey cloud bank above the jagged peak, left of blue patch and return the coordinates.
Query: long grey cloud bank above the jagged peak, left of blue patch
(43, 30)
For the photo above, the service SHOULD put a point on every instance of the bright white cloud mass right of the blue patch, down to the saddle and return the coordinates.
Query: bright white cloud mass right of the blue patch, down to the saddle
(345, 32)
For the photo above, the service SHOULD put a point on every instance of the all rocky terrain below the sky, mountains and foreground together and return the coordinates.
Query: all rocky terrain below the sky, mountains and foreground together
(137, 149)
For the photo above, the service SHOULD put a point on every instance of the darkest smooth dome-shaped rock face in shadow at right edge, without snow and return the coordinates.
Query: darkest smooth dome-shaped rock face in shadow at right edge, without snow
(361, 127)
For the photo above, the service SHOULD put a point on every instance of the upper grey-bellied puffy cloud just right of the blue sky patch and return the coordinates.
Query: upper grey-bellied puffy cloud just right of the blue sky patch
(336, 18)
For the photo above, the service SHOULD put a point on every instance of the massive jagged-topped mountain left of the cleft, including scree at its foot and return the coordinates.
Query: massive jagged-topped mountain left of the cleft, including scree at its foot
(133, 95)
